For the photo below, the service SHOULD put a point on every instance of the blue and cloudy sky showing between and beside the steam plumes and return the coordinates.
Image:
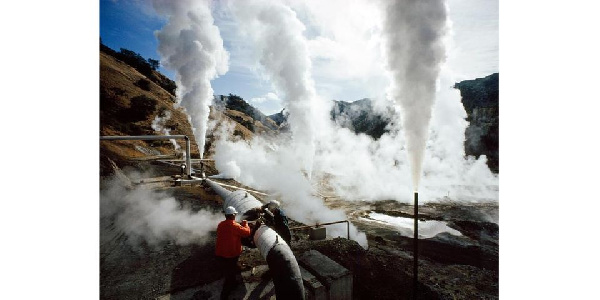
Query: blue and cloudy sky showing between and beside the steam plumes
(346, 61)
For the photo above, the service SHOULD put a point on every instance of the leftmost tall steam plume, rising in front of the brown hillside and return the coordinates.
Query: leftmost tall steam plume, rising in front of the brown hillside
(191, 45)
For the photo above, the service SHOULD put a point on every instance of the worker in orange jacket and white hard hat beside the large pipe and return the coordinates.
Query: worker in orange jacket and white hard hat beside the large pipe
(229, 247)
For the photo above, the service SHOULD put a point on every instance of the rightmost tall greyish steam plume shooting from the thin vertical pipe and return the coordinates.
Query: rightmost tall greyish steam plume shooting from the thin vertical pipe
(415, 52)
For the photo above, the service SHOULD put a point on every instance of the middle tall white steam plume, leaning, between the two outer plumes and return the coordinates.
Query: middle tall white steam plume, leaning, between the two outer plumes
(277, 35)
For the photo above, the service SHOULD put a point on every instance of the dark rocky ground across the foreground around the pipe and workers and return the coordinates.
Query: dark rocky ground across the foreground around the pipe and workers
(450, 266)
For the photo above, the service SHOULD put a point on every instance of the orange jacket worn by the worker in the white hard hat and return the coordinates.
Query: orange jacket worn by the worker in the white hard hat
(229, 234)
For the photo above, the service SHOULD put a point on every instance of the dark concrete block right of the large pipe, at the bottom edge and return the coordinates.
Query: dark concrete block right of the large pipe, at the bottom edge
(337, 279)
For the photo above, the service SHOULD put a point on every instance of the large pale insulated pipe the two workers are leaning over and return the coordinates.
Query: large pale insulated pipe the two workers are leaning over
(282, 262)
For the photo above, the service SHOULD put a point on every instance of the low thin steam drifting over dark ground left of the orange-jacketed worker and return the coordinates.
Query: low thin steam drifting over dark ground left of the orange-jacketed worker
(152, 216)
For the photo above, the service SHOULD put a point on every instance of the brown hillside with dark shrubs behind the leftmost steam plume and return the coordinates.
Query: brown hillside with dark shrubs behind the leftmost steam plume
(129, 103)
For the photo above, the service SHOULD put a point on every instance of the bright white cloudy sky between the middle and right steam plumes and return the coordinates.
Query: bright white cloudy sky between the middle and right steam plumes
(345, 47)
